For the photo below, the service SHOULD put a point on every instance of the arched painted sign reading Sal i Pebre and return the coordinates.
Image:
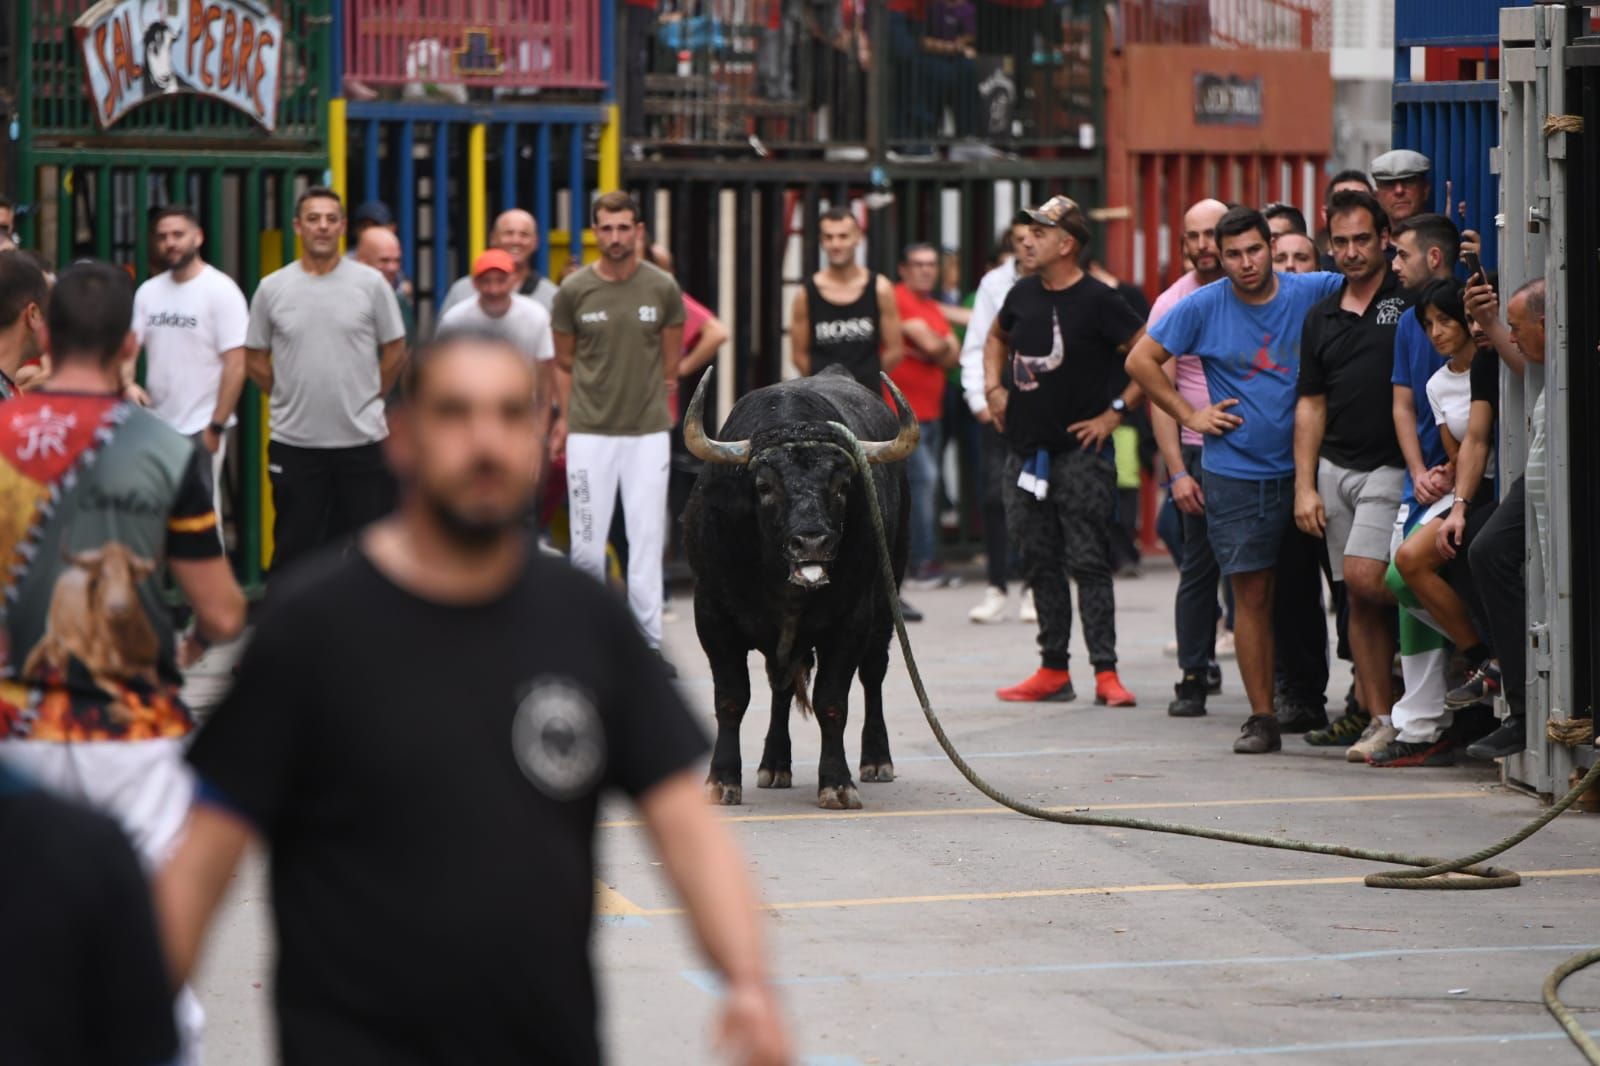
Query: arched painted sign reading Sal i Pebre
(140, 50)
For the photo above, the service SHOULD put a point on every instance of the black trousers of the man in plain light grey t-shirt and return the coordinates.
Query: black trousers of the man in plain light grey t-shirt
(324, 495)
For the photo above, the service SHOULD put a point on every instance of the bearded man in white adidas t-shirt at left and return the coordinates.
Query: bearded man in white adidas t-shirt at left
(191, 321)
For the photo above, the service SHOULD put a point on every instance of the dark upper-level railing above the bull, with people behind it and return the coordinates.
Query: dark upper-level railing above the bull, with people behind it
(860, 74)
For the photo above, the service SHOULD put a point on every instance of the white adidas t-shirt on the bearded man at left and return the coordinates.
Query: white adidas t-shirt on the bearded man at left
(185, 329)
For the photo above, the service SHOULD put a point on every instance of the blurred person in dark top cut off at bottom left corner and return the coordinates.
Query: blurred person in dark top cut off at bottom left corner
(82, 980)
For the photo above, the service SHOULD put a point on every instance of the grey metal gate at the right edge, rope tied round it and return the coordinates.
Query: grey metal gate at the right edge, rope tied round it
(1540, 182)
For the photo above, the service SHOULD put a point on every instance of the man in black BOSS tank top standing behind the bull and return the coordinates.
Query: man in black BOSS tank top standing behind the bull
(846, 315)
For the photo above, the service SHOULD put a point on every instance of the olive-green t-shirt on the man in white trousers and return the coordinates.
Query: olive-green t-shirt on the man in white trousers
(618, 377)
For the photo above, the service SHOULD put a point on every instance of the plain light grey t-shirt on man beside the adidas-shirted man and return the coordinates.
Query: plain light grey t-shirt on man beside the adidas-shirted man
(324, 332)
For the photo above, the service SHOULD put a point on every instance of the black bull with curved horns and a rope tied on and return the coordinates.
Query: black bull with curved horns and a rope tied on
(786, 563)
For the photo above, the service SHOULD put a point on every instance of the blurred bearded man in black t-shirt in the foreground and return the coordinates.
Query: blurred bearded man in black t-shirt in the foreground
(420, 734)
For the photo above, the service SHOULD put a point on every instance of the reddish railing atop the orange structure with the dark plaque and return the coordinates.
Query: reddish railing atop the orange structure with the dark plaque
(1271, 25)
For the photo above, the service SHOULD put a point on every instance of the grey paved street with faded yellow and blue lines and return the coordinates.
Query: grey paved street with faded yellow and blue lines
(935, 929)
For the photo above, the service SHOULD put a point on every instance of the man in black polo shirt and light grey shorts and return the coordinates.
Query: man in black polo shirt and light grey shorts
(1350, 473)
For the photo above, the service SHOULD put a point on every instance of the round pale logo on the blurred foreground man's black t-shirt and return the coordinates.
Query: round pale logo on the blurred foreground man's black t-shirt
(558, 739)
